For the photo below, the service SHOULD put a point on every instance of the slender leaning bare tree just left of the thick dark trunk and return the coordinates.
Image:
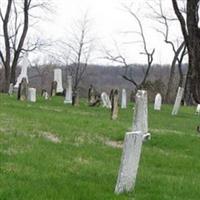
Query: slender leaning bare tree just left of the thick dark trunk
(178, 52)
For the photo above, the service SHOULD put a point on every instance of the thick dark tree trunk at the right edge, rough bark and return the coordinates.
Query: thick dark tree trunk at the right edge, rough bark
(191, 33)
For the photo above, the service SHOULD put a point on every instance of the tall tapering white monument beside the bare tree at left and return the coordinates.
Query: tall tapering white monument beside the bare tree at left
(24, 68)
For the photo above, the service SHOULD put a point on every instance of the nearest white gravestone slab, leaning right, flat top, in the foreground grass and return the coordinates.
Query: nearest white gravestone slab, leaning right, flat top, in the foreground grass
(129, 162)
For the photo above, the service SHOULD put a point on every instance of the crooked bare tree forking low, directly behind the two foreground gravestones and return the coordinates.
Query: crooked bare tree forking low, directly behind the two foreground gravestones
(128, 75)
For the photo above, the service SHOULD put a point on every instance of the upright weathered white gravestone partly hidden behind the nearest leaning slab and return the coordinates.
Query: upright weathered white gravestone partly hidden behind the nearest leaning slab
(140, 121)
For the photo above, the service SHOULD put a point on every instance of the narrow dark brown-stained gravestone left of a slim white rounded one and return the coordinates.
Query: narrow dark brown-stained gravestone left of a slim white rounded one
(114, 104)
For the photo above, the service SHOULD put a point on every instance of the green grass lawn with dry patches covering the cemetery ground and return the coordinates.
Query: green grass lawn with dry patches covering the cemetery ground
(82, 166)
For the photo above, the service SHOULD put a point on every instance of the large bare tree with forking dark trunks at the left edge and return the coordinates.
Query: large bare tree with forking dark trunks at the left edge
(15, 20)
